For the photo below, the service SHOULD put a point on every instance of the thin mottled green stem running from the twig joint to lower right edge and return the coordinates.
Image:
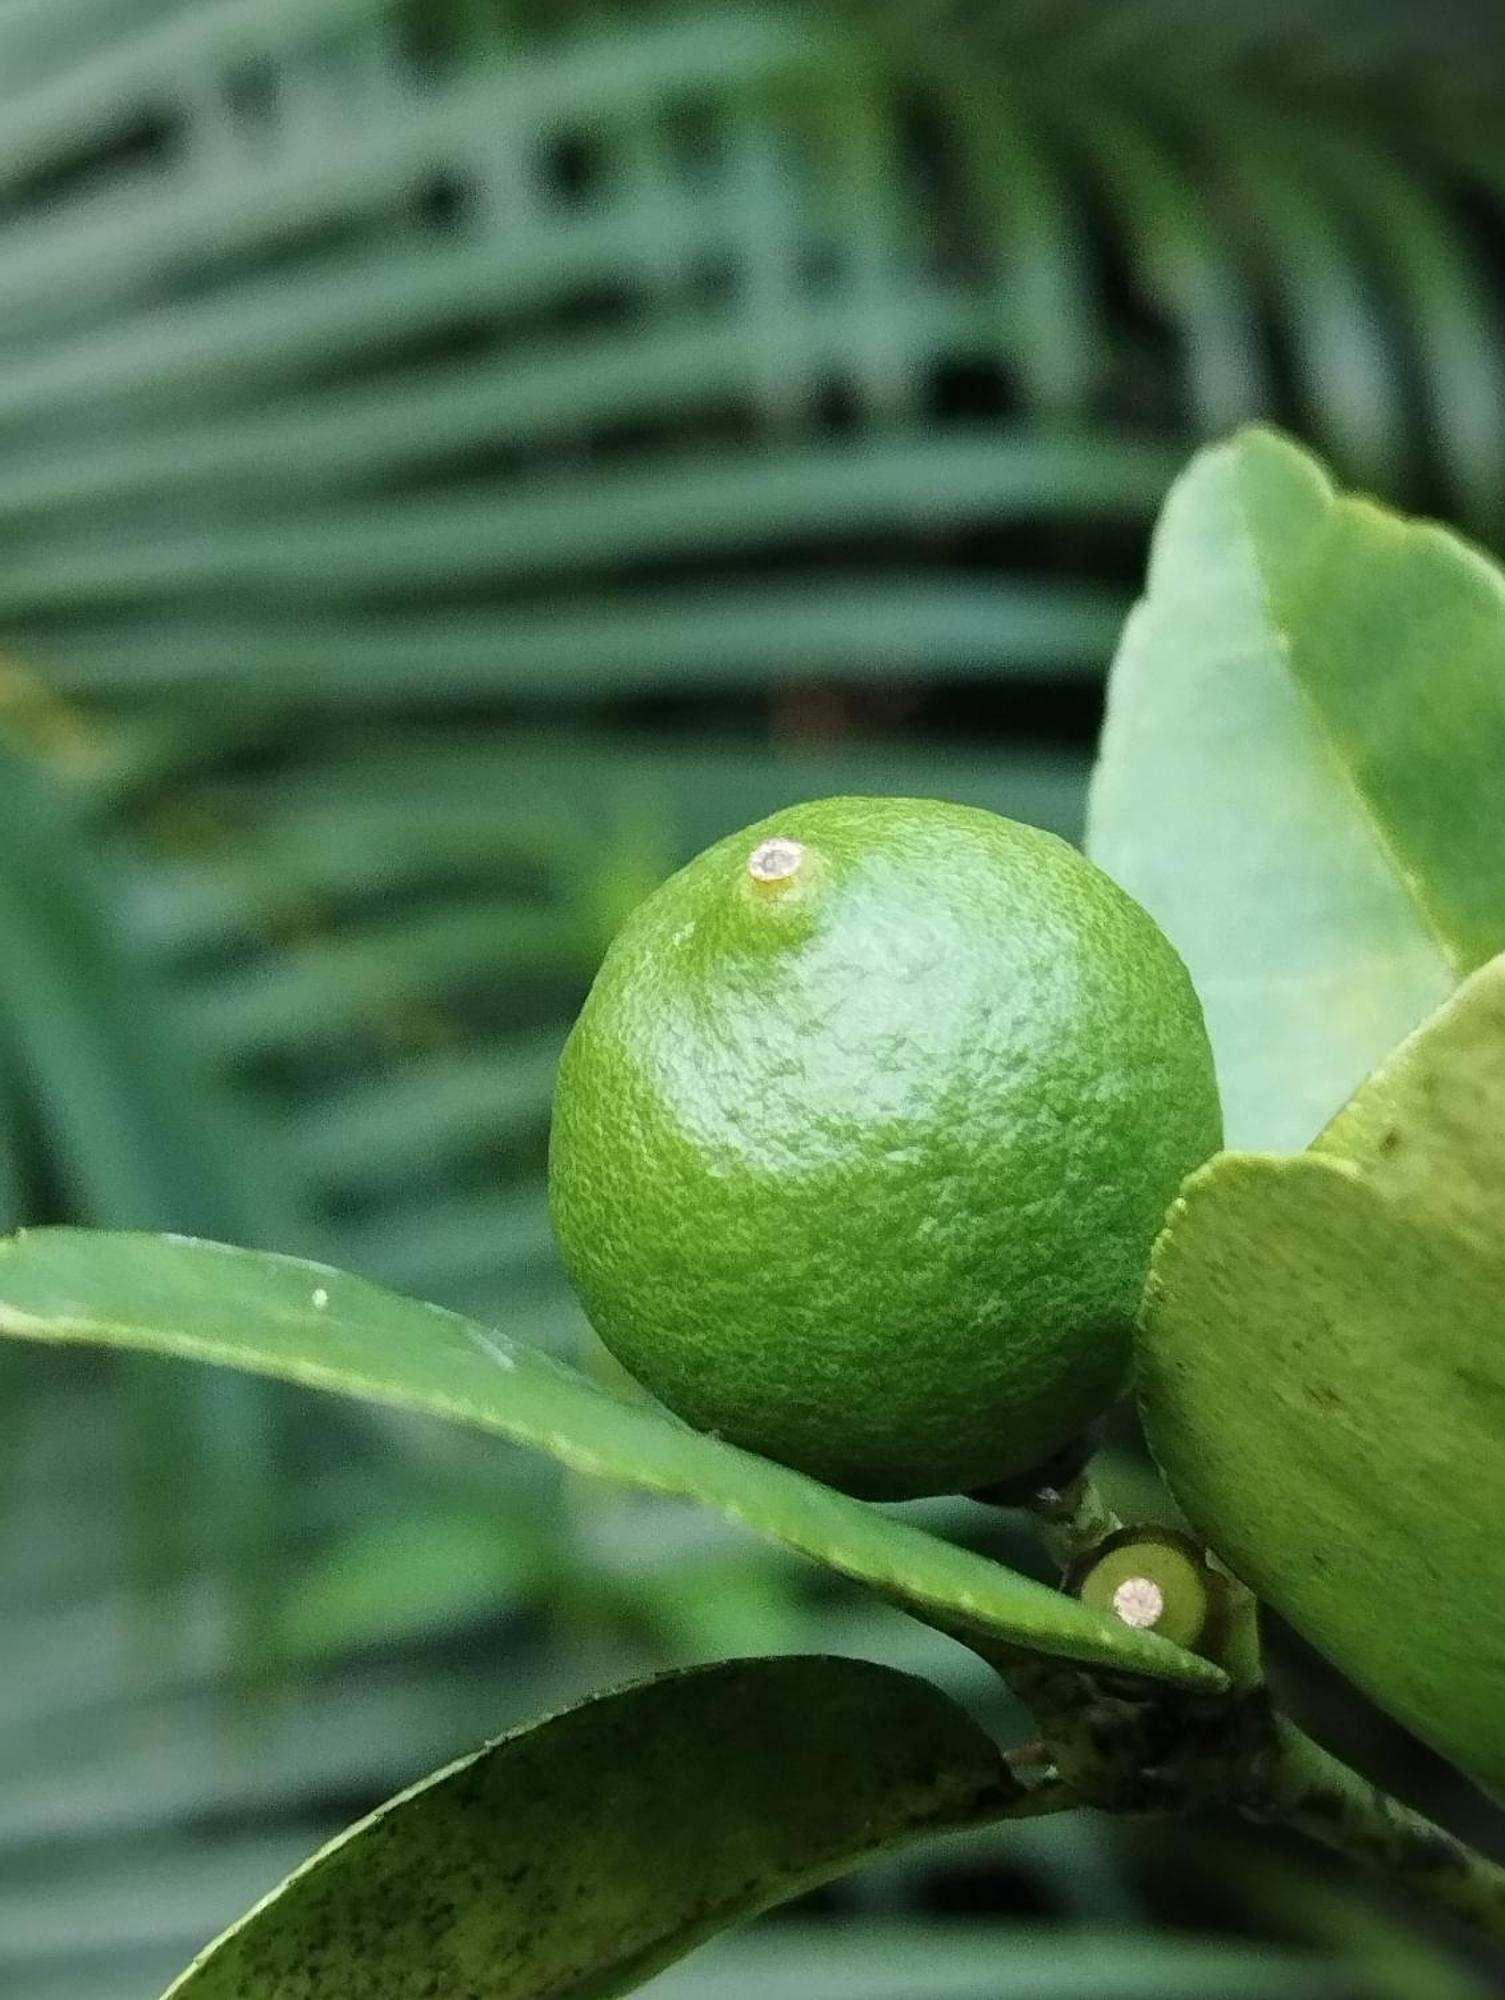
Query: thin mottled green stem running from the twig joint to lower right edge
(1320, 1797)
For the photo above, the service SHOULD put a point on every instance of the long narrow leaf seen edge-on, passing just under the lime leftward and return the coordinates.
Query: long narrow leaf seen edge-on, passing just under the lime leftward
(325, 1329)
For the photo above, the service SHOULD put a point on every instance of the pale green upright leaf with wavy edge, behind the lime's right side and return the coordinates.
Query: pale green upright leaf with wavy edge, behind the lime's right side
(1300, 775)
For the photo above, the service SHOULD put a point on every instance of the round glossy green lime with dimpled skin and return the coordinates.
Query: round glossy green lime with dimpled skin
(866, 1133)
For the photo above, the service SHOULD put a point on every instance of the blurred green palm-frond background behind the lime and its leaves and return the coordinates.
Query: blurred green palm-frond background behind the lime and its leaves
(455, 459)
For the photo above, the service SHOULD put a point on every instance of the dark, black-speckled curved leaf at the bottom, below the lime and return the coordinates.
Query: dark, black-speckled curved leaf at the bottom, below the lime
(581, 1855)
